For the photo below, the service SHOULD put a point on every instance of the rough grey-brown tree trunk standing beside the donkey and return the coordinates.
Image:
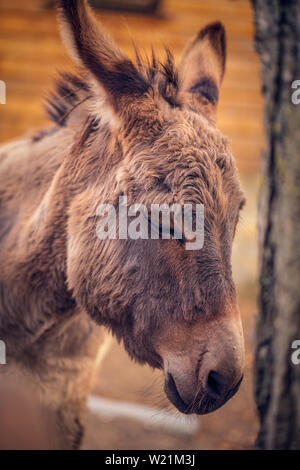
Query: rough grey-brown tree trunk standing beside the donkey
(277, 388)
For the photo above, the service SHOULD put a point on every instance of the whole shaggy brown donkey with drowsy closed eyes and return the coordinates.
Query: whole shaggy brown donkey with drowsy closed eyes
(145, 129)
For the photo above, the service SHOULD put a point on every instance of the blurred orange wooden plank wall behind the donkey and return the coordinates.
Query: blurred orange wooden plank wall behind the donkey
(31, 52)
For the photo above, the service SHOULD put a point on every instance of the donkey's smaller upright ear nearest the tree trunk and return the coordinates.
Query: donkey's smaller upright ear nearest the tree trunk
(202, 68)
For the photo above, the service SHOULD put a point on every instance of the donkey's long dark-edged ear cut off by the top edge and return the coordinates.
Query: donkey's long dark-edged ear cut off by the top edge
(96, 52)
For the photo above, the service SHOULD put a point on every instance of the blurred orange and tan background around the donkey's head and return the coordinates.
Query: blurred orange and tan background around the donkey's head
(30, 54)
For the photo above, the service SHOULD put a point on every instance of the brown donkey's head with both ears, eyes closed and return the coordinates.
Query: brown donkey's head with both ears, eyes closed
(154, 140)
